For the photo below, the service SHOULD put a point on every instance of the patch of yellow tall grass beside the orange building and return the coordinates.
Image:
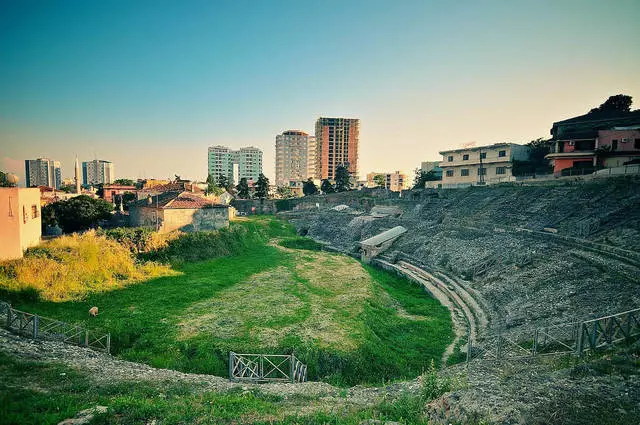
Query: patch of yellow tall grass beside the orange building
(70, 267)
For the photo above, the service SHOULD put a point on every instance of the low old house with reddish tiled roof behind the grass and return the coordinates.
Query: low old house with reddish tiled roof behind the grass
(179, 210)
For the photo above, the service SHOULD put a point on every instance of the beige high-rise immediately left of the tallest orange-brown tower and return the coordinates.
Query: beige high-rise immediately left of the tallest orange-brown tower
(295, 157)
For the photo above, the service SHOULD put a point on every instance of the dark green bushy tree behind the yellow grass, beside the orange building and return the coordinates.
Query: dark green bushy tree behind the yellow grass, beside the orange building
(78, 213)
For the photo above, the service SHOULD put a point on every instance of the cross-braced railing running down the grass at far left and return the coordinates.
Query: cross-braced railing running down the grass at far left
(39, 327)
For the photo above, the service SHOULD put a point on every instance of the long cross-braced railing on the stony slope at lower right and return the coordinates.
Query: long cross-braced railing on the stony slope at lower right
(568, 338)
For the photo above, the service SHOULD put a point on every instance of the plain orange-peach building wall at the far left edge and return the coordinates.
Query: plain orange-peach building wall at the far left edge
(20, 221)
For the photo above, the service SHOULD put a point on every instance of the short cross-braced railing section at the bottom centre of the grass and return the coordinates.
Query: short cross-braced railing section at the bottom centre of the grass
(266, 368)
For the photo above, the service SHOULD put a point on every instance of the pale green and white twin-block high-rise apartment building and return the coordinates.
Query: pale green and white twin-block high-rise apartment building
(235, 165)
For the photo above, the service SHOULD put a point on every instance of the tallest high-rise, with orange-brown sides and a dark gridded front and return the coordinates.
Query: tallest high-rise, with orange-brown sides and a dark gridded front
(337, 141)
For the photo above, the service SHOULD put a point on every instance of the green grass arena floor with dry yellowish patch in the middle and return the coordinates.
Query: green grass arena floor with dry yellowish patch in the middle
(267, 291)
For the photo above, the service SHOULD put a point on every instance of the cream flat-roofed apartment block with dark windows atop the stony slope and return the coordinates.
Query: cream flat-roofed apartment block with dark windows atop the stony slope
(481, 165)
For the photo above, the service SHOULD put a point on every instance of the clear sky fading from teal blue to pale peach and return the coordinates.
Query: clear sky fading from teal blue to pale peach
(151, 84)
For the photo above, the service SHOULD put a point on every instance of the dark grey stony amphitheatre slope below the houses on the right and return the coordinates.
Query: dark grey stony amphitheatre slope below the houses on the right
(493, 240)
